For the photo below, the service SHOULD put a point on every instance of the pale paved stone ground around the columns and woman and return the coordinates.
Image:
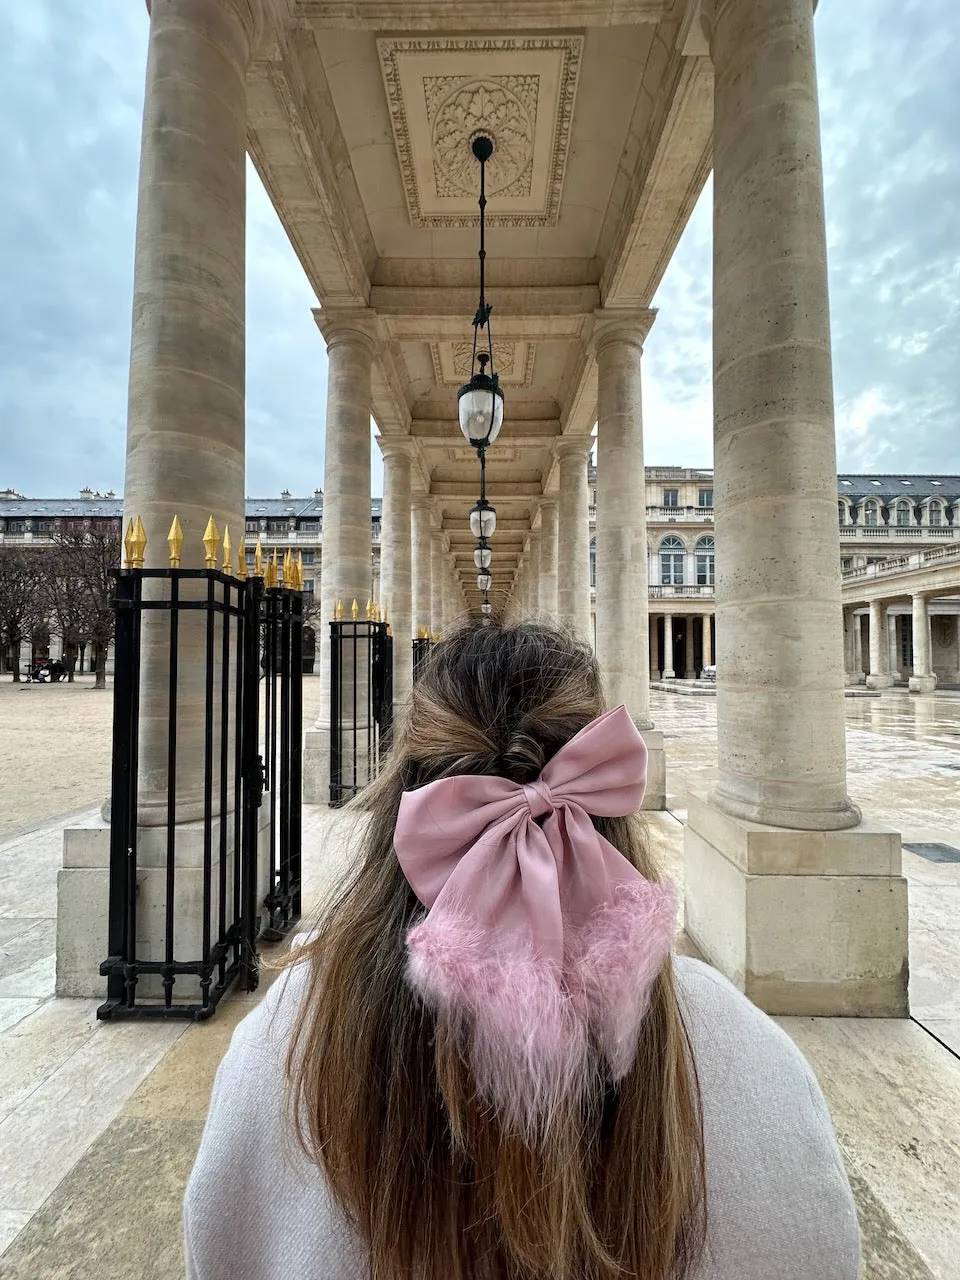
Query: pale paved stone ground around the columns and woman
(99, 1123)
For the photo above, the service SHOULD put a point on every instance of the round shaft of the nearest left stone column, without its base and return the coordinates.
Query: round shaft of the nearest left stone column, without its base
(185, 419)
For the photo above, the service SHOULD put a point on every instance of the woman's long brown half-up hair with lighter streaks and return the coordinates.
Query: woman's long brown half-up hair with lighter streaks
(383, 1099)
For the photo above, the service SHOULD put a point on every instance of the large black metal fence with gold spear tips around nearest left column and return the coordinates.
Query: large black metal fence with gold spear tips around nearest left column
(228, 637)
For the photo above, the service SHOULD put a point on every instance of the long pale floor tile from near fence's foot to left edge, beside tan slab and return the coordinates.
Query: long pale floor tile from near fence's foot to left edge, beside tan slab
(48, 1133)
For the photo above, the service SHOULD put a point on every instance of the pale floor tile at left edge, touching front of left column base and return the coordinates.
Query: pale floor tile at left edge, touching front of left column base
(39, 1045)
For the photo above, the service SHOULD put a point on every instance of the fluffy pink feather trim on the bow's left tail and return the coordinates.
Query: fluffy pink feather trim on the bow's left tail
(525, 1039)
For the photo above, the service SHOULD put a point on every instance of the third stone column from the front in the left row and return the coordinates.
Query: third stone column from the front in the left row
(396, 559)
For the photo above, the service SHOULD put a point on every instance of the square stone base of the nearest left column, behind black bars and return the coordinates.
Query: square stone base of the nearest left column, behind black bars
(84, 898)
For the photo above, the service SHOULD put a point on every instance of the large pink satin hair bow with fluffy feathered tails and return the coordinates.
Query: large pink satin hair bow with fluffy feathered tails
(542, 941)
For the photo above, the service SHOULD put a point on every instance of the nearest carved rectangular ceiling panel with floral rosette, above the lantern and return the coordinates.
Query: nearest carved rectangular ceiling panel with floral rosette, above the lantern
(444, 92)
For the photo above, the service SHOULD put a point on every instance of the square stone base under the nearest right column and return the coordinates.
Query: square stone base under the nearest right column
(807, 924)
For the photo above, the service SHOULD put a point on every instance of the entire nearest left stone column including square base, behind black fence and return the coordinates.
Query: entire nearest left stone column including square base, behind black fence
(185, 454)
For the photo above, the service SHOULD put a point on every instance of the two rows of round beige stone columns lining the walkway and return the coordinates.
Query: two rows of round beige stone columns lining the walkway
(785, 890)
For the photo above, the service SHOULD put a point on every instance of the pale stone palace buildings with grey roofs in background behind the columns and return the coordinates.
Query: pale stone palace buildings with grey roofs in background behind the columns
(884, 519)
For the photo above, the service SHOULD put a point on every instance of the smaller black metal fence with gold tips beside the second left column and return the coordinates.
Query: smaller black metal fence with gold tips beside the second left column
(362, 705)
